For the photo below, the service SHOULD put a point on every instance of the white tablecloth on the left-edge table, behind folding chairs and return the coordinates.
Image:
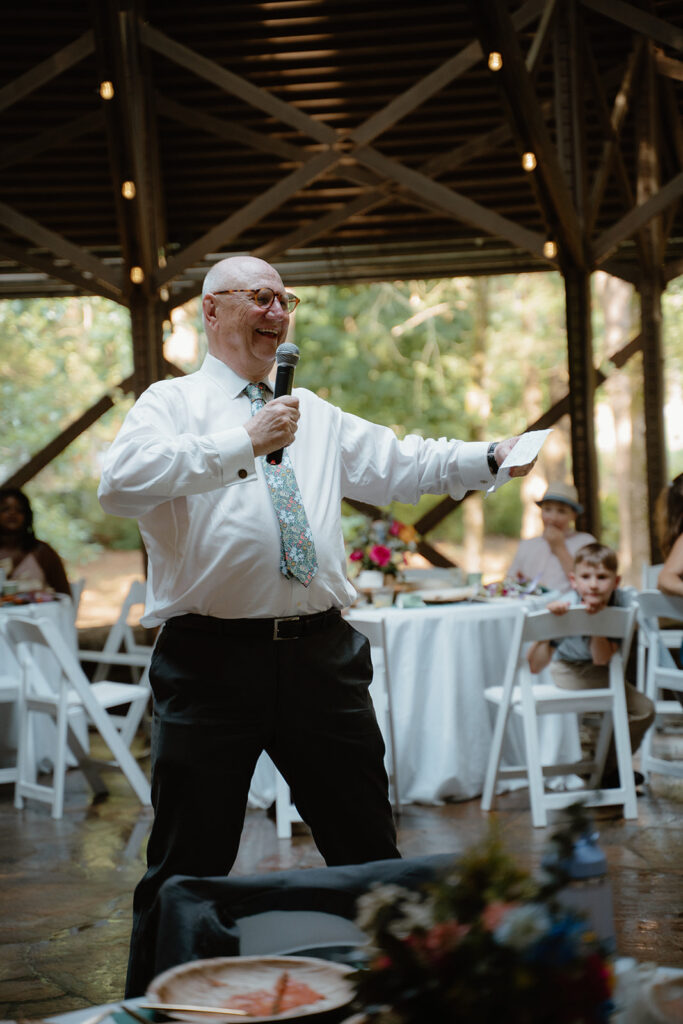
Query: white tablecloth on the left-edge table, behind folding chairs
(62, 614)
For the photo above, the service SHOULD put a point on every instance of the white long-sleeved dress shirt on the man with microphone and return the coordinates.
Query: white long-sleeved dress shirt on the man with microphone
(184, 465)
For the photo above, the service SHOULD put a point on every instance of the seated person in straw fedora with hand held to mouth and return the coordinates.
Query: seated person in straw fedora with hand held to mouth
(549, 560)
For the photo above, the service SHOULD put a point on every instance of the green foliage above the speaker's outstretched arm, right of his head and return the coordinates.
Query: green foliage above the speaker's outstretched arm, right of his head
(402, 354)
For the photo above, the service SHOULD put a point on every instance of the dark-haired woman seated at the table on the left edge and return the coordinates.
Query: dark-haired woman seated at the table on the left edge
(29, 559)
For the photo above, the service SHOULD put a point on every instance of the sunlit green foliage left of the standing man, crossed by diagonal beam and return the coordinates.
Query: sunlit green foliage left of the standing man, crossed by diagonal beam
(58, 358)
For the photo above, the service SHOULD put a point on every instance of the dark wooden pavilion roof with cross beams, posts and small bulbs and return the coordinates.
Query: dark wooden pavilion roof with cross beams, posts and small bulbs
(347, 141)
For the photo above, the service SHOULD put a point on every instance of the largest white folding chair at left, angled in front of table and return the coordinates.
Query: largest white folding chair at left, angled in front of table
(60, 698)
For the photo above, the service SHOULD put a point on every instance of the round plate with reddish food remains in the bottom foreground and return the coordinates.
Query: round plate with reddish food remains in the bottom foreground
(255, 989)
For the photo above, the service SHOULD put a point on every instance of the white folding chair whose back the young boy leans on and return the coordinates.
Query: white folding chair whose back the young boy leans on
(521, 695)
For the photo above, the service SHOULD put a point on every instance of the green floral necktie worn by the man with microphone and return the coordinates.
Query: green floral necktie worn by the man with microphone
(297, 550)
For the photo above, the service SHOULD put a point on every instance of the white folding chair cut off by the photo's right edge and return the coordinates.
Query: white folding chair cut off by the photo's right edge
(662, 673)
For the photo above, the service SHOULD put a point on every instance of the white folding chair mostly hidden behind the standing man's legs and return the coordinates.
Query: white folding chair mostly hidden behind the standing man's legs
(380, 692)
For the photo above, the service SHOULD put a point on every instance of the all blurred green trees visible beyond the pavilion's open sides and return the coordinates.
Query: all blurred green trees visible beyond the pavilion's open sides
(402, 354)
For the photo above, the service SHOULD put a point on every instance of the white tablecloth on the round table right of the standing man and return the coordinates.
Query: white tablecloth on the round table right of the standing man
(442, 659)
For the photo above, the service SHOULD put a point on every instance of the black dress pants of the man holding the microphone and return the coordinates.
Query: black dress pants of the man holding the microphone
(220, 701)
